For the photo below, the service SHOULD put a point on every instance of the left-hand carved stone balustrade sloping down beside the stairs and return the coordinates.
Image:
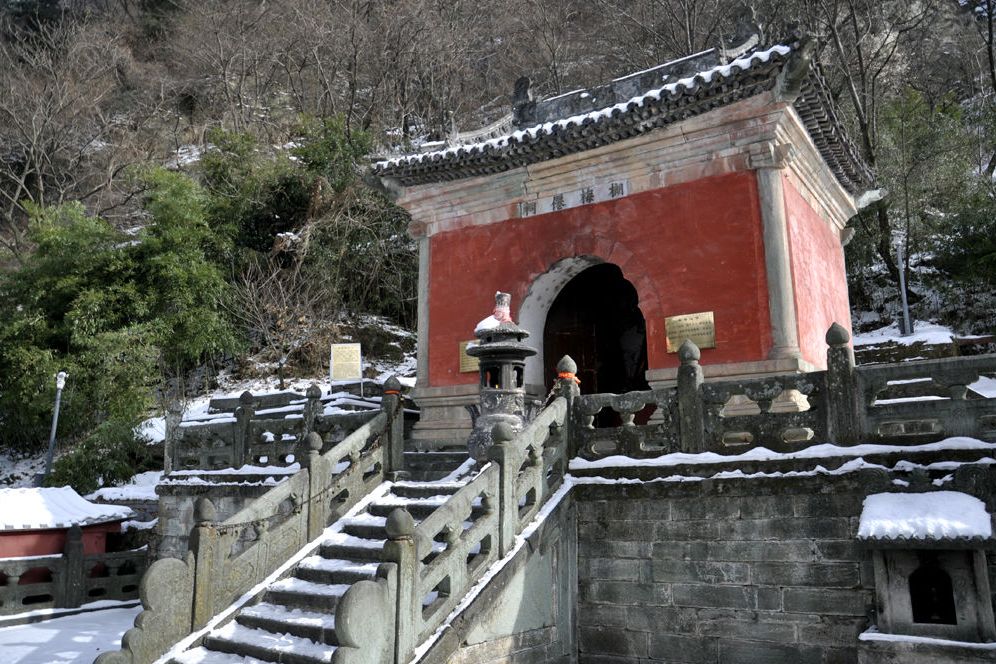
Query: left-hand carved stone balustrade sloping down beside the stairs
(228, 558)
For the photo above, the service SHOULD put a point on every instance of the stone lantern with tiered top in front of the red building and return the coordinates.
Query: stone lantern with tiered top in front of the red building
(502, 358)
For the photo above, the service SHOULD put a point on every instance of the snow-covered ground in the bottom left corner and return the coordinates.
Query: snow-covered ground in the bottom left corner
(70, 640)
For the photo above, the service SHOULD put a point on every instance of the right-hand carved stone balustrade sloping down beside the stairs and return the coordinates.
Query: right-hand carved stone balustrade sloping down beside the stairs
(441, 558)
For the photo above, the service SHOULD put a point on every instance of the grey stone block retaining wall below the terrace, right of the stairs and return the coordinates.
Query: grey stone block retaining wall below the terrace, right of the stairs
(728, 571)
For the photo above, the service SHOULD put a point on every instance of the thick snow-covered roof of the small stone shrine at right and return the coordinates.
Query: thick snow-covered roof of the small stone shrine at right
(932, 516)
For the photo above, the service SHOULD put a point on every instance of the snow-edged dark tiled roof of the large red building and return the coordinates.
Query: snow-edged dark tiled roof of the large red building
(672, 102)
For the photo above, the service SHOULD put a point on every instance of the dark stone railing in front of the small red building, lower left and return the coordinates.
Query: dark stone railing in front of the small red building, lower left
(69, 579)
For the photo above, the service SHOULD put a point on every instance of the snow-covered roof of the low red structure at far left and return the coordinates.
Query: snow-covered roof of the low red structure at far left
(53, 508)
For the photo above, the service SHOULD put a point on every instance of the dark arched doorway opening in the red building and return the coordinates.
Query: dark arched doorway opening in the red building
(596, 319)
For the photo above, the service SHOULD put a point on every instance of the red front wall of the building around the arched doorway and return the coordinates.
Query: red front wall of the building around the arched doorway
(687, 248)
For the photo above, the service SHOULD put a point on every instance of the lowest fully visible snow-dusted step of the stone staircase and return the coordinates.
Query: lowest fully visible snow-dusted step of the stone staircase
(266, 646)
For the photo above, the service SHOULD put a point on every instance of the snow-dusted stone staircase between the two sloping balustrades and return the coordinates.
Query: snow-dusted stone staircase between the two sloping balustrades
(293, 621)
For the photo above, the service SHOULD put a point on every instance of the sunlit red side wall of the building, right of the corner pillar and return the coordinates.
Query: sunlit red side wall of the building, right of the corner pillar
(819, 277)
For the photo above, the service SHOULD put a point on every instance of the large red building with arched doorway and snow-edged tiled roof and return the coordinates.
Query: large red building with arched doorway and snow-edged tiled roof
(706, 198)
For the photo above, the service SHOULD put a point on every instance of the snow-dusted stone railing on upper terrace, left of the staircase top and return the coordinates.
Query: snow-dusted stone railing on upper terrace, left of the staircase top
(255, 436)
